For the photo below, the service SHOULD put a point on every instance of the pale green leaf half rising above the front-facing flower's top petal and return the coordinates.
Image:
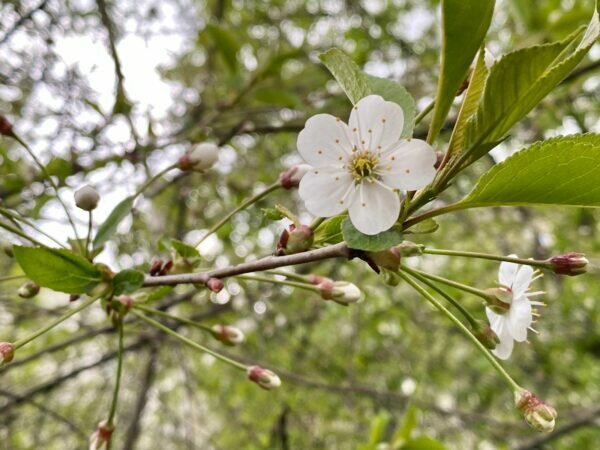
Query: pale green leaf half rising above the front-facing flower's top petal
(348, 75)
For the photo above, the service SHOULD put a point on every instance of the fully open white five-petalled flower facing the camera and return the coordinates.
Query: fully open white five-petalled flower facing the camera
(362, 166)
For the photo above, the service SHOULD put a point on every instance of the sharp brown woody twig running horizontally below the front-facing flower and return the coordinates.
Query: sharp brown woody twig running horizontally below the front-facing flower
(270, 262)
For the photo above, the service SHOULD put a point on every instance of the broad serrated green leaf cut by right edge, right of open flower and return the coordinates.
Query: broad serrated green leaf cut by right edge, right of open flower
(559, 171)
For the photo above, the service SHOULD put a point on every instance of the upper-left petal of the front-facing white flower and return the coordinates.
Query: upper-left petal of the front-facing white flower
(324, 141)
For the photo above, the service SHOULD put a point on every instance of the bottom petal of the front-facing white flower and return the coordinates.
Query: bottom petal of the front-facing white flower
(374, 208)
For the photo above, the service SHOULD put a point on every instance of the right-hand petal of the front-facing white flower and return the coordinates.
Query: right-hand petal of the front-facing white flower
(409, 165)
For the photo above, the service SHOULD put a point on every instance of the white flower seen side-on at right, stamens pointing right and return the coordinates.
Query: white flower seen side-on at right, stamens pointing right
(512, 324)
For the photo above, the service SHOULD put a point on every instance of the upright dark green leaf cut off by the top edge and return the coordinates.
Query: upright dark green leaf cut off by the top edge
(465, 24)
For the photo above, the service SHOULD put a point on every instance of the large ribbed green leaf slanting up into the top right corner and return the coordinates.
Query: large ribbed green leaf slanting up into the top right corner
(519, 81)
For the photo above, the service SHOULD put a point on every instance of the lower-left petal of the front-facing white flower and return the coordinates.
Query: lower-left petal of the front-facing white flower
(323, 190)
